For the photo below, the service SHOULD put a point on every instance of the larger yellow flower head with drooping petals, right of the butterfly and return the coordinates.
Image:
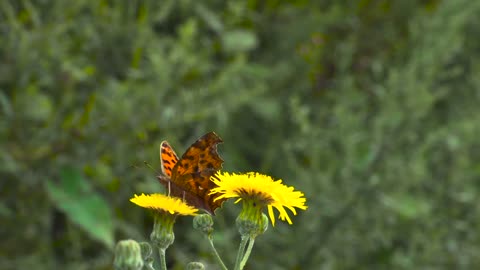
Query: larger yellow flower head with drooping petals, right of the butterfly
(261, 188)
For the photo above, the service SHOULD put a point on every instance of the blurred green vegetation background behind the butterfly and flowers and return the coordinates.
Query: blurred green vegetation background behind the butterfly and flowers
(369, 107)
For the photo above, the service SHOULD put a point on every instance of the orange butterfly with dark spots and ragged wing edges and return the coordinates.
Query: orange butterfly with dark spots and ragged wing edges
(188, 178)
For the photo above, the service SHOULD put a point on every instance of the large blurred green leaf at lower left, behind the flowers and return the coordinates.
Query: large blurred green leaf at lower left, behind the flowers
(82, 205)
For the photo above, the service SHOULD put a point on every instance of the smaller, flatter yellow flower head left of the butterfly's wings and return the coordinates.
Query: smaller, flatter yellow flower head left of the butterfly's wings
(164, 203)
